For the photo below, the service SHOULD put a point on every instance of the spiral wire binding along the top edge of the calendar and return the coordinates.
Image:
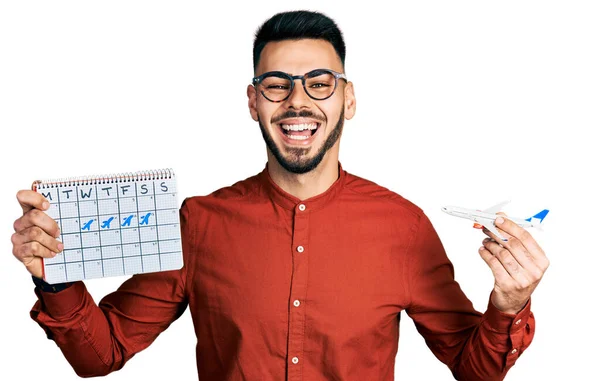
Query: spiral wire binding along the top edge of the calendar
(155, 174)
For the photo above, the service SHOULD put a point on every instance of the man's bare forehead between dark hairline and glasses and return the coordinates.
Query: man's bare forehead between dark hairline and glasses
(298, 56)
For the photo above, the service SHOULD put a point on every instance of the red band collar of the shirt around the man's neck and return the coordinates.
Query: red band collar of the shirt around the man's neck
(291, 202)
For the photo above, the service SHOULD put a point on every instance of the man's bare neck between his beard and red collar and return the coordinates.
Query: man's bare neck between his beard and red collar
(306, 185)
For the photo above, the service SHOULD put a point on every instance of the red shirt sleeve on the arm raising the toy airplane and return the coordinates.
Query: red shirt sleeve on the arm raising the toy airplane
(474, 346)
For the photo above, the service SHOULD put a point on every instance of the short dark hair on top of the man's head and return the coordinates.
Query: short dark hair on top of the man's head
(298, 25)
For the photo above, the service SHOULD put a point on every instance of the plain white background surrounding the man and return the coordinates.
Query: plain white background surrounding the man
(463, 103)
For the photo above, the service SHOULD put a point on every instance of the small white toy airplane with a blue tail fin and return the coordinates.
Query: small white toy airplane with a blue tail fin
(485, 218)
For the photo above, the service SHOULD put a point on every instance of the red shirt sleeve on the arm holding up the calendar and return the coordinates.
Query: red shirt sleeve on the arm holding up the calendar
(99, 339)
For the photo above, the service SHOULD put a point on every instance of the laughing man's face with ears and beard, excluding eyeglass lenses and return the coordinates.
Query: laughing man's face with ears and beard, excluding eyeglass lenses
(279, 120)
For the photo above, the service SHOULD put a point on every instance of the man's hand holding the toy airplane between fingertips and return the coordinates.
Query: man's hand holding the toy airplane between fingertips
(517, 264)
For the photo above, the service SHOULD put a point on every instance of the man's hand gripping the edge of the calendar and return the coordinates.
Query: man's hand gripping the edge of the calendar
(35, 233)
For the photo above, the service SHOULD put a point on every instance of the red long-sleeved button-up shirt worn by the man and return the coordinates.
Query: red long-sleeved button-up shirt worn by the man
(286, 289)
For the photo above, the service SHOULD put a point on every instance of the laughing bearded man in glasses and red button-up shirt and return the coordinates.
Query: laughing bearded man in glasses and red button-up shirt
(301, 271)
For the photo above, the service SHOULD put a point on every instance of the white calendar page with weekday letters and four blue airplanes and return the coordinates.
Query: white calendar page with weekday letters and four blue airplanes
(120, 227)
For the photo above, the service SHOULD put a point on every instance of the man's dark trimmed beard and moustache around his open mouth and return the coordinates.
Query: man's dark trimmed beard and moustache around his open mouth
(298, 162)
